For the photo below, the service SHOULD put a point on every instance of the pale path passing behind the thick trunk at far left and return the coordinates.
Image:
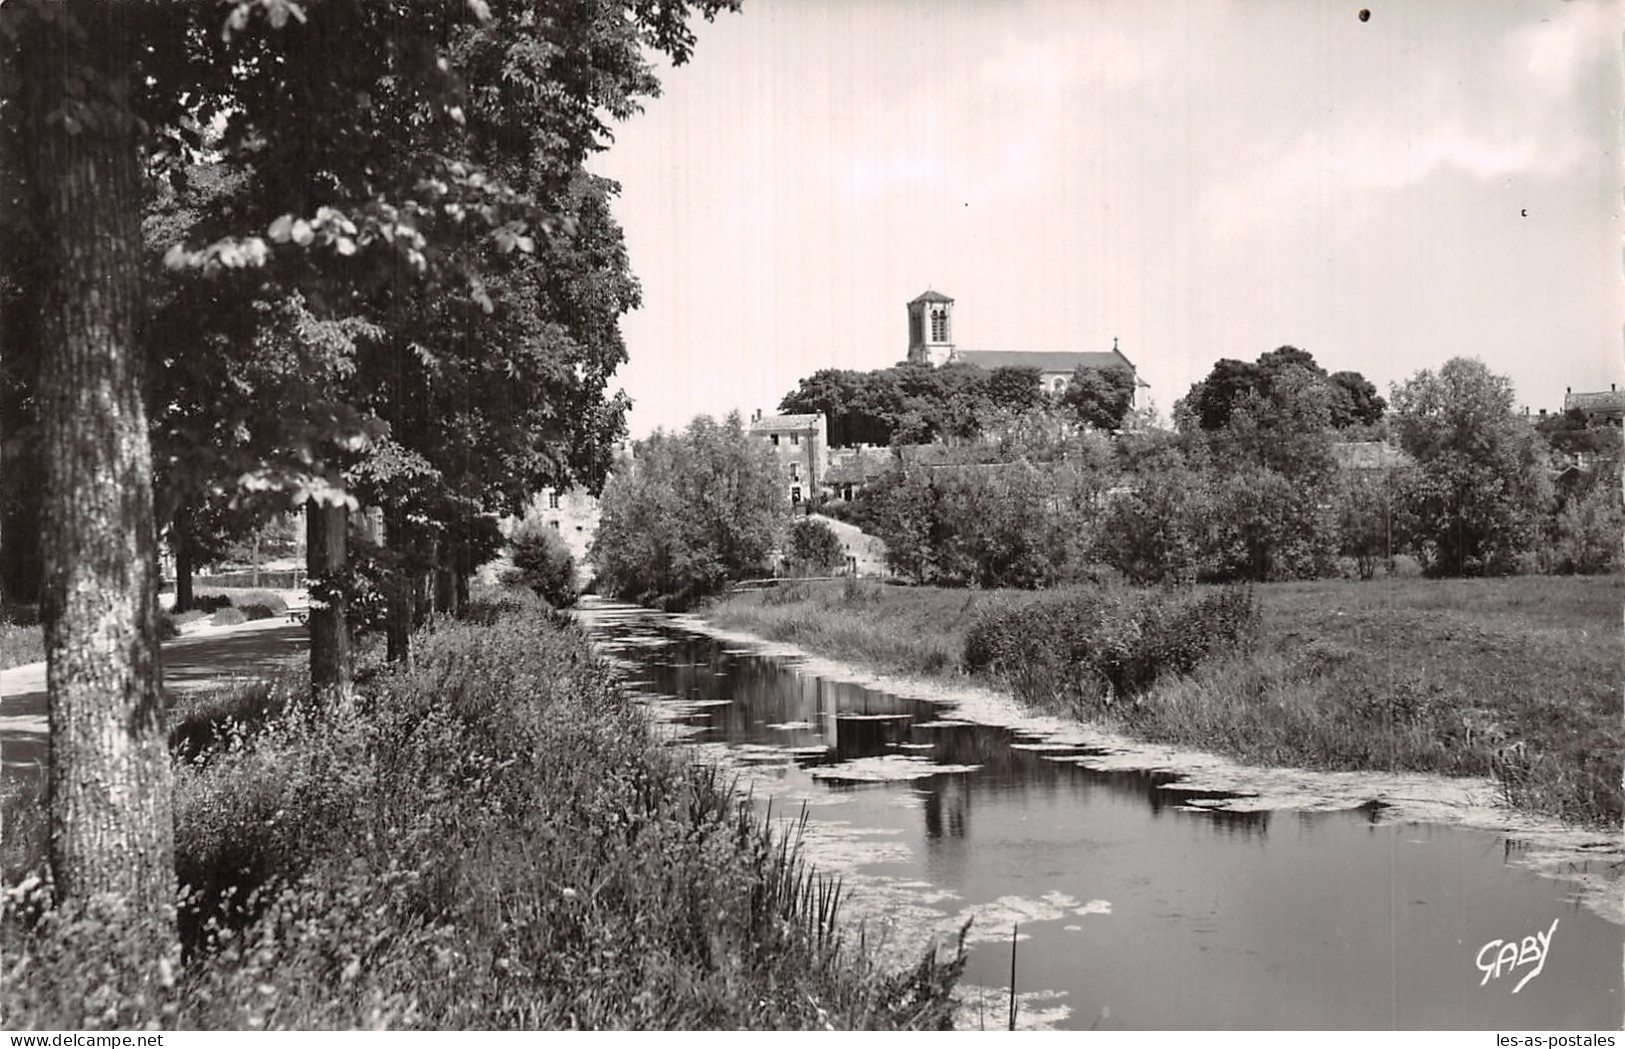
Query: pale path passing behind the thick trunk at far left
(209, 658)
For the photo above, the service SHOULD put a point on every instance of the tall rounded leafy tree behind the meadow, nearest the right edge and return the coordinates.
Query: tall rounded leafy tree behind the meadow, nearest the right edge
(1478, 491)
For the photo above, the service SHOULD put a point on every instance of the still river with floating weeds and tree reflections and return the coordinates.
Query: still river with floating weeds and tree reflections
(1138, 905)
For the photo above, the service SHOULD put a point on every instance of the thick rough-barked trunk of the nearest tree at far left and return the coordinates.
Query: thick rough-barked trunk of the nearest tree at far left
(110, 785)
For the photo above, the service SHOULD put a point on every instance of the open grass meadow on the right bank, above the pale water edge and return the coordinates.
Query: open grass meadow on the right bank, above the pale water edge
(1515, 678)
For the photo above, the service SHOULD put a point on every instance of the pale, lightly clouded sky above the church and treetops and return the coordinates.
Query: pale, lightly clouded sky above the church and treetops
(1198, 181)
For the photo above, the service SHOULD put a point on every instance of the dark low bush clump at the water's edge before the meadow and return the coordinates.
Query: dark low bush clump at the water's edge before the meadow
(1090, 649)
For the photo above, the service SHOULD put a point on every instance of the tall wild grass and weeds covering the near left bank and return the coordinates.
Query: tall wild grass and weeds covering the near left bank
(495, 839)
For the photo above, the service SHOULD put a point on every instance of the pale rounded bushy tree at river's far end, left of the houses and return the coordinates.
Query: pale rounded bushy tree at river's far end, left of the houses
(690, 512)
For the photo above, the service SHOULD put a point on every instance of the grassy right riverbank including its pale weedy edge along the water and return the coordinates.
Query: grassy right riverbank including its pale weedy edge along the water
(1499, 657)
